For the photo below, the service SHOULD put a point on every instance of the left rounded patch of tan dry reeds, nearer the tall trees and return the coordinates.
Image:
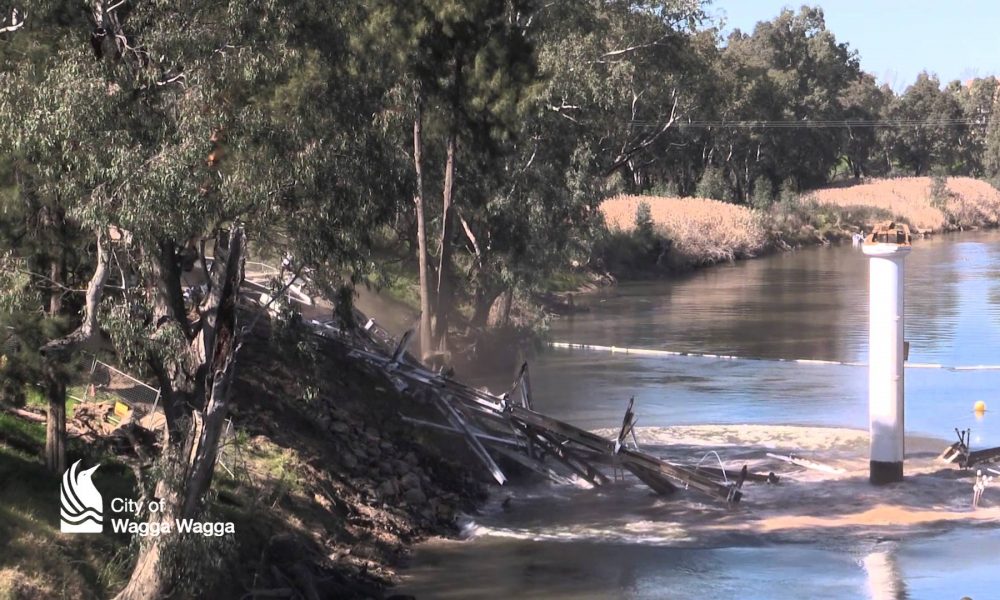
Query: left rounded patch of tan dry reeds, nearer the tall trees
(702, 231)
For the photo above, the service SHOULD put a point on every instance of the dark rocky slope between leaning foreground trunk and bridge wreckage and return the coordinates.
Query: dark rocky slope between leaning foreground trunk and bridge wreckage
(365, 485)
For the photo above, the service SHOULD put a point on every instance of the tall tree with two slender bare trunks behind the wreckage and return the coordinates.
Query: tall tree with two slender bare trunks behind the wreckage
(463, 71)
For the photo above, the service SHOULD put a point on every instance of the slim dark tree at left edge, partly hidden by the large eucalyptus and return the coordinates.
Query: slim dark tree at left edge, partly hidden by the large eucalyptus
(43, 256)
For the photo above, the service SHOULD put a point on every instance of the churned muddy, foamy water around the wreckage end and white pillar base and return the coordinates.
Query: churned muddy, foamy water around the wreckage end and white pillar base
(934, 496)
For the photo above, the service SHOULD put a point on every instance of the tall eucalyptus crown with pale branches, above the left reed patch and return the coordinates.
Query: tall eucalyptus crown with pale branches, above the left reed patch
(625, 75)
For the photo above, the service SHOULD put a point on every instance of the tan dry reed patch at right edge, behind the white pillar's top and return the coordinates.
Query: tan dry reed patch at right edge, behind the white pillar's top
(971, 203)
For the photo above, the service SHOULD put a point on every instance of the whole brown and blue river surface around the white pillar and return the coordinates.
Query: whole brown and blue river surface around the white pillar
(812, 535)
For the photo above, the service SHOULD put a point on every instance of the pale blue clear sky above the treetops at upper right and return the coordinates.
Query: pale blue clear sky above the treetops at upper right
(897, 39)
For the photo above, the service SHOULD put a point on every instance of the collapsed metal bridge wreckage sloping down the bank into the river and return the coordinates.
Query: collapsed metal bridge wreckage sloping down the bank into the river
(506, 425)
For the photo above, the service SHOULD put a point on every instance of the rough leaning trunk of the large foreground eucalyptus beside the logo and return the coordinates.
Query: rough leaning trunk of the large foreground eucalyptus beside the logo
(190, 455)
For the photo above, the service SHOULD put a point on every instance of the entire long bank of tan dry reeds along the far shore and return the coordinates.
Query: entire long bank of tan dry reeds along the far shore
(683, 233)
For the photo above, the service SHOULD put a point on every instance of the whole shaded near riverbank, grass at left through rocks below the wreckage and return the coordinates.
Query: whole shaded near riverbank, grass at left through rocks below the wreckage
(328, 488)
